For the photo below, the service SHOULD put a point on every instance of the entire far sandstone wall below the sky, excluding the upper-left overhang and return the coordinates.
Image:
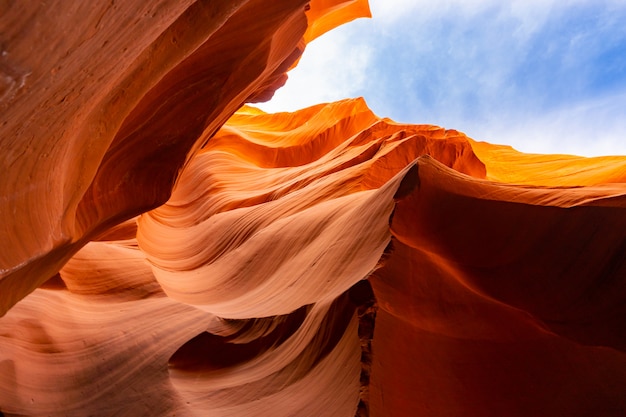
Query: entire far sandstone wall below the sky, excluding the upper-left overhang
(234, 298)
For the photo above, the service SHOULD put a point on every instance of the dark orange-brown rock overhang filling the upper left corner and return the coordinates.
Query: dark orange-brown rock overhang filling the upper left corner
(97, 124)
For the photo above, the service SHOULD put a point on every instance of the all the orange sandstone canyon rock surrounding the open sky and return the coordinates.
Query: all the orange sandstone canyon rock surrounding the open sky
(164, 256)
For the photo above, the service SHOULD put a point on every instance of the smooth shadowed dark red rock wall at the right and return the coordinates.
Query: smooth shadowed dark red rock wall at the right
(508, 300)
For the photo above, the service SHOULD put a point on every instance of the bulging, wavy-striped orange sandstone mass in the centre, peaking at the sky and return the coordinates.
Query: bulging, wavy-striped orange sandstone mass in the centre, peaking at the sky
(259, 216)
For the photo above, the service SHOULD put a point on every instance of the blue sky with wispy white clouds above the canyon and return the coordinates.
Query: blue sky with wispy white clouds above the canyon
(544, 76)
